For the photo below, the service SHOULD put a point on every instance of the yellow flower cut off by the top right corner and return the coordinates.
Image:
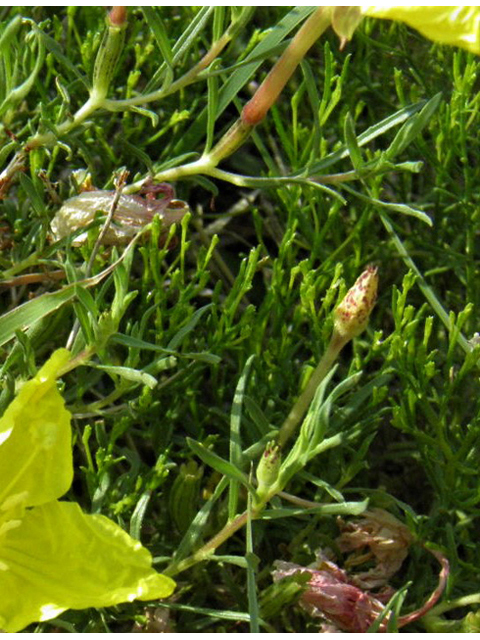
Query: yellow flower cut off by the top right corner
(459, 26)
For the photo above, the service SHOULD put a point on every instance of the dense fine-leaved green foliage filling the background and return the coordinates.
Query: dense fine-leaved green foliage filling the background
(254, 271)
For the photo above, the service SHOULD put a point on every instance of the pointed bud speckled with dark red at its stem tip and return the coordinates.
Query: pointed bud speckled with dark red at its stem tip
(352, 314)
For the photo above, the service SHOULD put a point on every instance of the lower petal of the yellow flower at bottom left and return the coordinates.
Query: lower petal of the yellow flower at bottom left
(59, 558)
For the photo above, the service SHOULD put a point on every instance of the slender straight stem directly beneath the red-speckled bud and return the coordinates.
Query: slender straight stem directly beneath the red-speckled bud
(300, 408)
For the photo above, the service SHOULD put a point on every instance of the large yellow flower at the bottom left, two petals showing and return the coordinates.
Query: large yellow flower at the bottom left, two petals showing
(53, 556)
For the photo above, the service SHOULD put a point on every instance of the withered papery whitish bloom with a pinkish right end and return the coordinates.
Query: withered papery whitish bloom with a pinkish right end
(131, 215)
